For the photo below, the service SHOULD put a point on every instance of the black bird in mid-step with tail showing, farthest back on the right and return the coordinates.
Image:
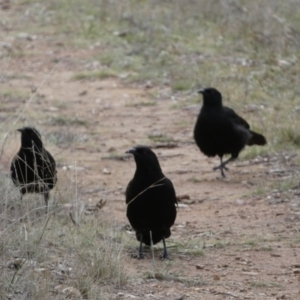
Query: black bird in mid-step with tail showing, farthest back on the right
(220, 131)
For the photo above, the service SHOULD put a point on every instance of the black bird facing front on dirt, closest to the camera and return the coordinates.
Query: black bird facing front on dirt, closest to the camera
(151, 200)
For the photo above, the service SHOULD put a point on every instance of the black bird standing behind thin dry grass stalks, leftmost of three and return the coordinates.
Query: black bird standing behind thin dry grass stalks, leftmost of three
(33, 168)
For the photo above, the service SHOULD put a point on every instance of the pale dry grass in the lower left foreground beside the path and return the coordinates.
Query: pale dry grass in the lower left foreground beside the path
(63, 247)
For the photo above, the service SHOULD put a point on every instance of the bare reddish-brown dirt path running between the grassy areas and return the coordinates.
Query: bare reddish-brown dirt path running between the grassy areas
(248, 241)
